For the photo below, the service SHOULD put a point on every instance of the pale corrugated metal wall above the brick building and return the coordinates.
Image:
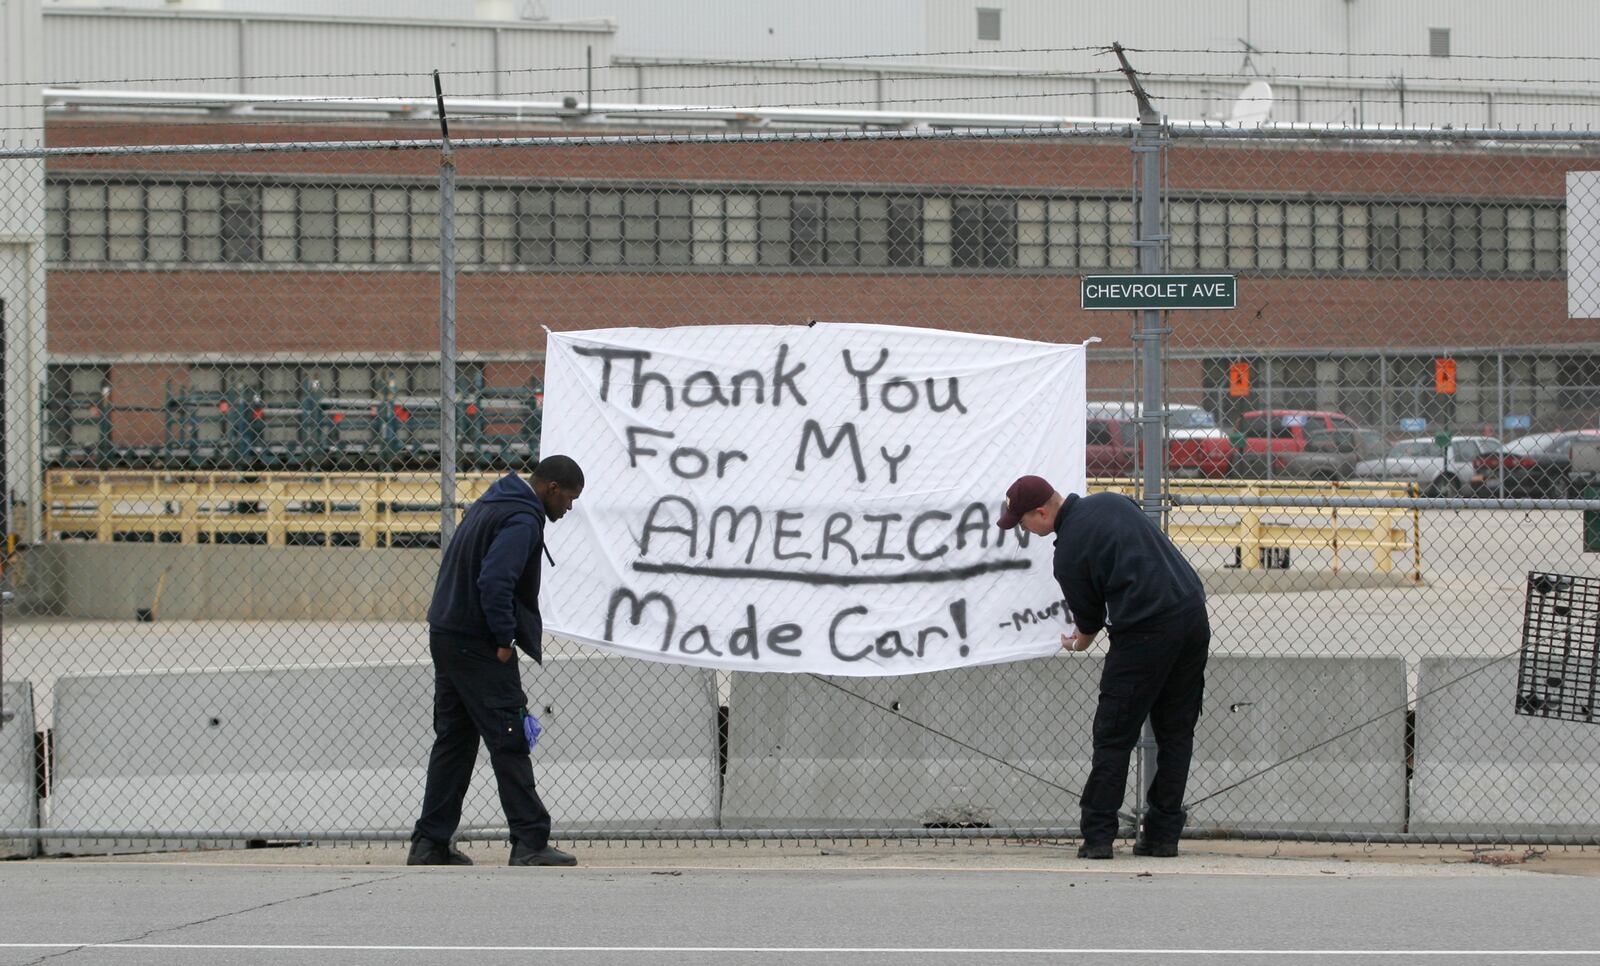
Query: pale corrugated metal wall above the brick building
(658, 55)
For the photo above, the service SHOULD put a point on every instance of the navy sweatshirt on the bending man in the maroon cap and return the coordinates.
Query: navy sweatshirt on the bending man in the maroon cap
(1118, 569)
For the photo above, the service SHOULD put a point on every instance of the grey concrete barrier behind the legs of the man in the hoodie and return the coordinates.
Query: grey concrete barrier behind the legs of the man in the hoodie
(626, 744)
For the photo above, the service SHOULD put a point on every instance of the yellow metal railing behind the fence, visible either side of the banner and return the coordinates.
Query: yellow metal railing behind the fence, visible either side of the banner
(390, 509)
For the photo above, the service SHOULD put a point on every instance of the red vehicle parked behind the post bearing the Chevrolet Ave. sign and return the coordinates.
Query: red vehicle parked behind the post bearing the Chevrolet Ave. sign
(1196, 447)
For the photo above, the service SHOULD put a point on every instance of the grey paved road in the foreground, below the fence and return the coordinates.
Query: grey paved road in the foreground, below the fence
(807, 903)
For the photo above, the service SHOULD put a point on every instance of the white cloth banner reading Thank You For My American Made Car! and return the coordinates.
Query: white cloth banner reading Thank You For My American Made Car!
(807, 498)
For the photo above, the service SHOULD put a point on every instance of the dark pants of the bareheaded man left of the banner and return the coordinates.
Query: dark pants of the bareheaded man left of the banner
(479, 698)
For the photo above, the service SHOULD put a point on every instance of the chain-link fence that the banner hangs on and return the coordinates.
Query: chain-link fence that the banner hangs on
(226, 418)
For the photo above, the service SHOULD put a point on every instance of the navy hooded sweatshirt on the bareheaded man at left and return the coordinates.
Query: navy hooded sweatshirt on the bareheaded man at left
(489, 583)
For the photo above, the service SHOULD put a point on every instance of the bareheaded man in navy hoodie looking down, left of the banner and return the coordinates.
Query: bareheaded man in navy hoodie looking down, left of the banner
(486, 609)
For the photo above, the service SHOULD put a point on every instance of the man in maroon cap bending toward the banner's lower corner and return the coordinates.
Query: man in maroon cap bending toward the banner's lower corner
(1118, 570)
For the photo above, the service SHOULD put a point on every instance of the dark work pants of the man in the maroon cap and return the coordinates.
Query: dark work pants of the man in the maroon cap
(1153, 673)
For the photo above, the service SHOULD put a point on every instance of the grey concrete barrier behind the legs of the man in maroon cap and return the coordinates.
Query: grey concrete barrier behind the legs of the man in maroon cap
(806, 754)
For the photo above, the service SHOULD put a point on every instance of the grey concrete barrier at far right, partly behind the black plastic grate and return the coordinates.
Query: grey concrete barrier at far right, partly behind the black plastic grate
(1484, 768)
